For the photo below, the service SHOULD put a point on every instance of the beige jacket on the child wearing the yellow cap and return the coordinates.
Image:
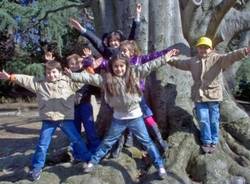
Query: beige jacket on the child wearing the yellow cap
(207, 73)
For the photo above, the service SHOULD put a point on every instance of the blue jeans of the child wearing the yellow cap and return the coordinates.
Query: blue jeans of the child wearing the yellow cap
(208, 114)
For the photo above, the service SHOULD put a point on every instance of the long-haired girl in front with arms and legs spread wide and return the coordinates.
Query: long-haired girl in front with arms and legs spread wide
(122, 92)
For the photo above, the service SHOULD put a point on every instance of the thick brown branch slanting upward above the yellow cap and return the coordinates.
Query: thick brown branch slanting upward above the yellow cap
(217, 16)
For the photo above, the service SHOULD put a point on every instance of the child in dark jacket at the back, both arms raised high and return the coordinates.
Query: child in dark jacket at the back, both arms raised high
(111, 41)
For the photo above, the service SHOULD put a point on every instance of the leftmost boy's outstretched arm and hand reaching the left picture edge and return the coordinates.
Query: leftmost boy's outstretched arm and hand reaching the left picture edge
(25, 81)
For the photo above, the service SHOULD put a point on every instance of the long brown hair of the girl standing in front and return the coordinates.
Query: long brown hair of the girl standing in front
(112, 84)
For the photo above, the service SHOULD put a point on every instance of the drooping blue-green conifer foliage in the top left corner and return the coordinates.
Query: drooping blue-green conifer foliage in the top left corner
(50, 17)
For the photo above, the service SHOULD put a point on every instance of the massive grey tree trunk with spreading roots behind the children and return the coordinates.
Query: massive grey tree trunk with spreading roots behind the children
(168, 90)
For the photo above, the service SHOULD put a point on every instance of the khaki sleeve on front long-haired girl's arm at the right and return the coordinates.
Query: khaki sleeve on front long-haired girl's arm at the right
(144, 70)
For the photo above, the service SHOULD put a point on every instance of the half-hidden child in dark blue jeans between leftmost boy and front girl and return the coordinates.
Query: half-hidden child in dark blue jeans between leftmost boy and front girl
(83, 107)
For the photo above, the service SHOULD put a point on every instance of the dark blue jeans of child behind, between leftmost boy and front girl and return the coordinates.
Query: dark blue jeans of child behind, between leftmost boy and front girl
(84, 114)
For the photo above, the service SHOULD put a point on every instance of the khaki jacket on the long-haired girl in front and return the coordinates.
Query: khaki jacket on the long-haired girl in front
(125, 102)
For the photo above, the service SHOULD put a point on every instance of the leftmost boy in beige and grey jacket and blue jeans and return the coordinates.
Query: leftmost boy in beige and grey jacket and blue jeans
(55, 96)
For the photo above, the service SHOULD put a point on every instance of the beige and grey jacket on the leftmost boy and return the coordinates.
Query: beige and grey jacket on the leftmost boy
(55, 99)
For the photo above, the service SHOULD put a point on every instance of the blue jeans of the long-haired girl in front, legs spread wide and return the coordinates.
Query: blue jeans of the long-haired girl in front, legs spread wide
(138, 128)
